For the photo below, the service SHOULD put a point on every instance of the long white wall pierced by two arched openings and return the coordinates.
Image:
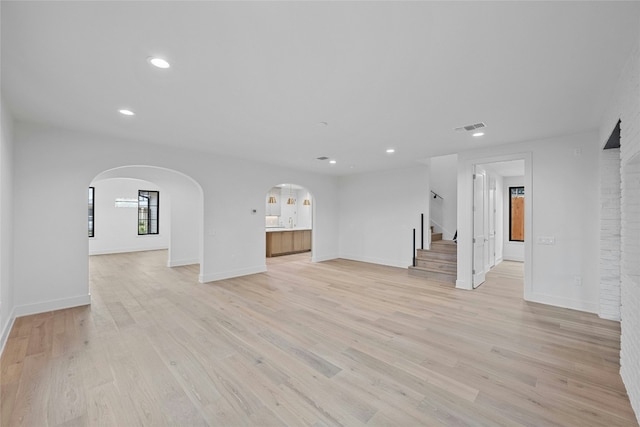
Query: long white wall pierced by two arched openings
(51, 265)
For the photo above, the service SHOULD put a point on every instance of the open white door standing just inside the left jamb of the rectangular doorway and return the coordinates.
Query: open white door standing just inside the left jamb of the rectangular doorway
(479, 235)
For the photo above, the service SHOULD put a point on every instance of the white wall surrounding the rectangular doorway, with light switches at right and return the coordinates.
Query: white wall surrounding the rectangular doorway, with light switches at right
(562, 203)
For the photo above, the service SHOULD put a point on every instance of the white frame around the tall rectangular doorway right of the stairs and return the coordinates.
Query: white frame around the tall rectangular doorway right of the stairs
(466, 167)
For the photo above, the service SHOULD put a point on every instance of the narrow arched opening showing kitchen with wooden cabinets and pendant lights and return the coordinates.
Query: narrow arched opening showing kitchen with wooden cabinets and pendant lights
(288, 222)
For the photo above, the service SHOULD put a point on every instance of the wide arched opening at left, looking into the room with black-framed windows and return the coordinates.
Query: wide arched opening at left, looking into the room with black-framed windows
(119, 227)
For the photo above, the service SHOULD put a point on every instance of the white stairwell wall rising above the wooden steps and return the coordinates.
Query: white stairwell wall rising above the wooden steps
(443, 179)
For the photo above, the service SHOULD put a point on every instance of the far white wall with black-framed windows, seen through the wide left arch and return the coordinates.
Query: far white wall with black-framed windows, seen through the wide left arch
(116, 228)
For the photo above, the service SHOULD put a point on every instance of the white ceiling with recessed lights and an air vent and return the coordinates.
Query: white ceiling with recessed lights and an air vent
(255, 79)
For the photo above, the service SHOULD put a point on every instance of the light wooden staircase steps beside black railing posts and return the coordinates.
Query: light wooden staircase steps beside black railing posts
(438, 263)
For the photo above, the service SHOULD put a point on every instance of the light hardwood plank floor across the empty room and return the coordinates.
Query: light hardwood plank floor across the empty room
(334, 343)
